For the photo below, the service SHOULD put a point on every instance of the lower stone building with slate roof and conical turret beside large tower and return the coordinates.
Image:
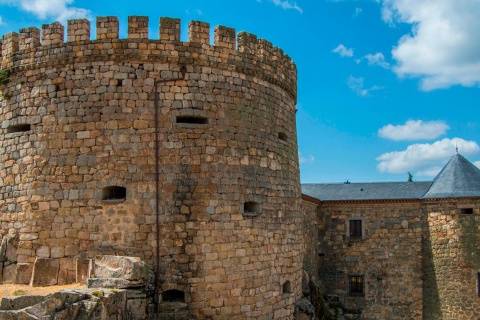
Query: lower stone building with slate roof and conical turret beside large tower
(398, 250)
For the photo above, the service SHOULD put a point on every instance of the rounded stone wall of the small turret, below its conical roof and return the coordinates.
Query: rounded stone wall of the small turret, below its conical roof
(452, 260)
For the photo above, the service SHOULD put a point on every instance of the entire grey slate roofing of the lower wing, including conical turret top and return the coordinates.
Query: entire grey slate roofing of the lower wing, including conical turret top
(459, 178)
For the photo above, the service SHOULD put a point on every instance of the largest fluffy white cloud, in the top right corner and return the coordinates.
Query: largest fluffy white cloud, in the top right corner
(443, 48)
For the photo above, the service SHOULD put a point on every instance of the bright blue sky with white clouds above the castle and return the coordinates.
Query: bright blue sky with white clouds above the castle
(385, 87)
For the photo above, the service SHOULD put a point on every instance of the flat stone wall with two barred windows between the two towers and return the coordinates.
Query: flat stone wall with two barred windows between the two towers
(388, 256)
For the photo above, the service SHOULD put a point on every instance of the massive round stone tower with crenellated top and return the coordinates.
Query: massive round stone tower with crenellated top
(107, 145)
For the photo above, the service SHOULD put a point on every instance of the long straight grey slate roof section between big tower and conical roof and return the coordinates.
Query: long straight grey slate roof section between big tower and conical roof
(366, 191)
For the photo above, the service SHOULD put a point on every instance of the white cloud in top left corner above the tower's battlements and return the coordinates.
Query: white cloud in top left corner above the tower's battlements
(57, 9)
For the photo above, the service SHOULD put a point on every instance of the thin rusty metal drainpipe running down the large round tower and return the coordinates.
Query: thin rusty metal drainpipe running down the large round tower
(183, 70)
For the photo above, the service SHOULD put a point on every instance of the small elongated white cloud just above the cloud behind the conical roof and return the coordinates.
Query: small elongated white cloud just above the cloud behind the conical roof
(414, 130)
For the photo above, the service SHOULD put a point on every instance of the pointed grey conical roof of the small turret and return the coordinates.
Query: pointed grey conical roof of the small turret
(459, 178)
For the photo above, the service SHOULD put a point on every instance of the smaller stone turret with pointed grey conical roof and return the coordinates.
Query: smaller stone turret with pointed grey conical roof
(451, 243)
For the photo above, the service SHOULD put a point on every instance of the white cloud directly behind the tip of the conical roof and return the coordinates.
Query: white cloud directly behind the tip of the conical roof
(425, 159)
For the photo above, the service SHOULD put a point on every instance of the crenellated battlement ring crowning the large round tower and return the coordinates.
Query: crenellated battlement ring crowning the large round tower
(252, 55)
